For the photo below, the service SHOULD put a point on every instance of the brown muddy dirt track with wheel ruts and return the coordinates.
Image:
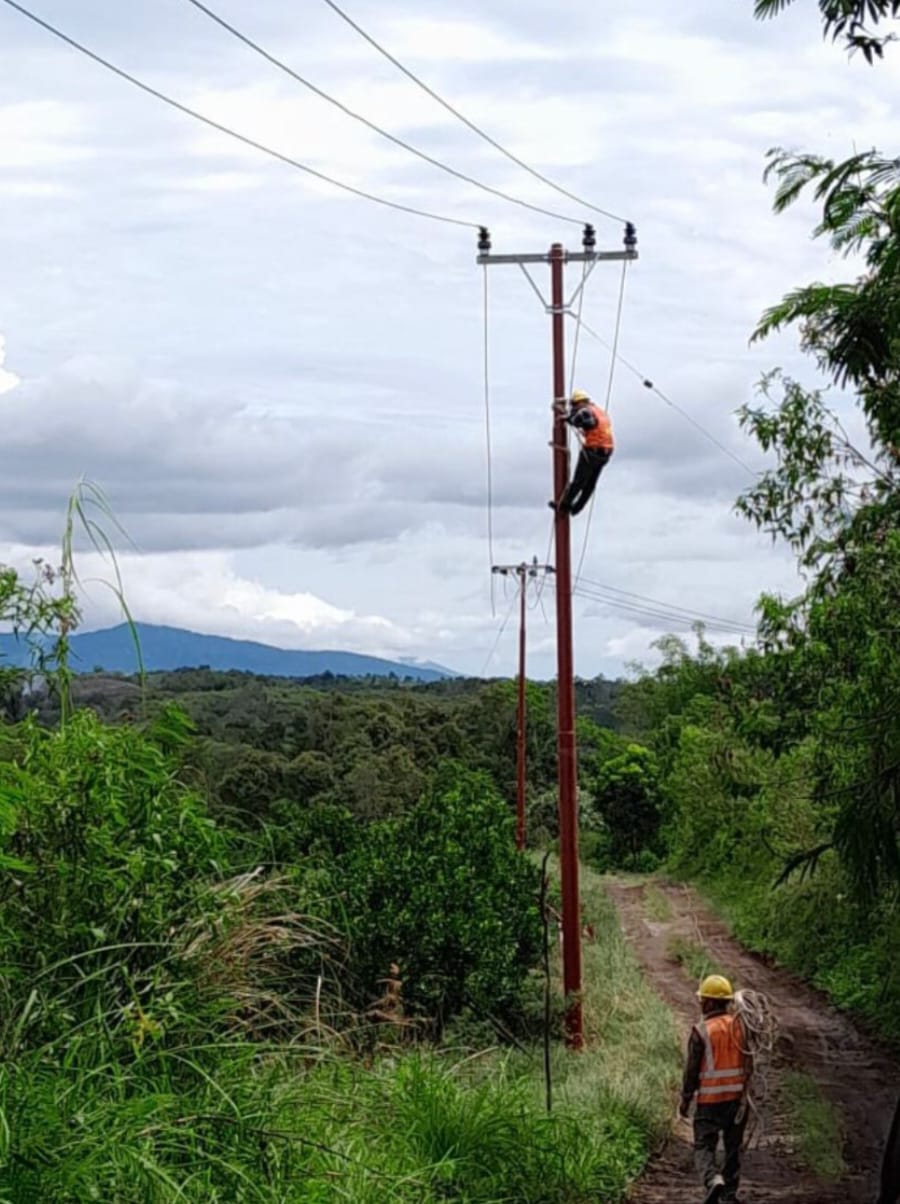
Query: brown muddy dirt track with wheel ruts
(860, 1079)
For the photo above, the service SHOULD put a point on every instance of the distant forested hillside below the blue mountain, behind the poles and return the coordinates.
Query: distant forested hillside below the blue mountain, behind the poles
(362, 745)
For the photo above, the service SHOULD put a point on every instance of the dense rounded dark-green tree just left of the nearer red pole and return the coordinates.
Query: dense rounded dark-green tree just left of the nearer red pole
(443, 893)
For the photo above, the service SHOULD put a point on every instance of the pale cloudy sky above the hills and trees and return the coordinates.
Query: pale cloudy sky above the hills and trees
(281, 388)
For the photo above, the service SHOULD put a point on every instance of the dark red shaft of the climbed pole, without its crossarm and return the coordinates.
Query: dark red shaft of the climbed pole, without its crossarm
(565, 683)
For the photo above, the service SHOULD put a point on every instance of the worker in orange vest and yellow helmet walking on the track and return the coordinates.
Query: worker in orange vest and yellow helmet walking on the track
(718, 1072)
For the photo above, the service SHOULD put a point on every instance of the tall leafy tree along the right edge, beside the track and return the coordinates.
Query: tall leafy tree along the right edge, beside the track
(838, 506)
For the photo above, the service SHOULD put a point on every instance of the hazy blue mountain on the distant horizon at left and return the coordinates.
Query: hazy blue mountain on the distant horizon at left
(174, 648)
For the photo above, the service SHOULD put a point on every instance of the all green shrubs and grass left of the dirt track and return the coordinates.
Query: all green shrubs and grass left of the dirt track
(212, 993)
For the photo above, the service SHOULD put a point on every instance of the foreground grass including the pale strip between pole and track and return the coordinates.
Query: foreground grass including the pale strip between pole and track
(203, 1118)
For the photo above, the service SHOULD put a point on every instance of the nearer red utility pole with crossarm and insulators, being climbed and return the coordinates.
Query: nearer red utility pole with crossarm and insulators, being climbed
(567, 765)
